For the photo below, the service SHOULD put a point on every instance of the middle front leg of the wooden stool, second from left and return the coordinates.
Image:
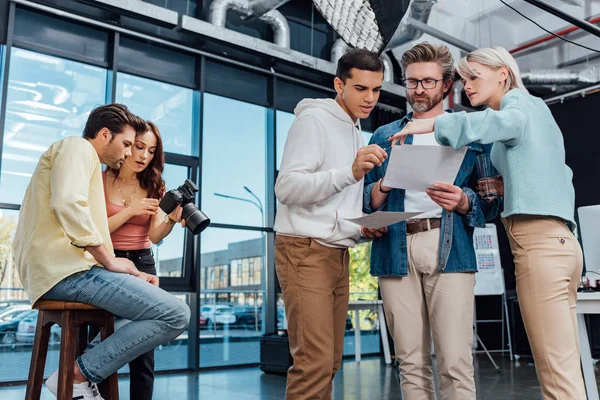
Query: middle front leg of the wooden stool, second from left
(68, 343)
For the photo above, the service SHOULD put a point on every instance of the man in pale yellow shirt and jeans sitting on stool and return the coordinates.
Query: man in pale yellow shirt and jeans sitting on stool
(63, 251)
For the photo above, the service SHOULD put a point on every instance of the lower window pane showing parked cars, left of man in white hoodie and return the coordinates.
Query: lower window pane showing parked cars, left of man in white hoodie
(231, 300)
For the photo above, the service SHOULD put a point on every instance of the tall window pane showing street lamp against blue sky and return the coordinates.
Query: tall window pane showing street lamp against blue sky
(233, 161)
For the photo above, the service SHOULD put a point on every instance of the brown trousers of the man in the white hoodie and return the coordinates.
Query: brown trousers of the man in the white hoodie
(314, 281)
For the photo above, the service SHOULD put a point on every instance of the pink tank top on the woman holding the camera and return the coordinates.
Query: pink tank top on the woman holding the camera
(133, 234)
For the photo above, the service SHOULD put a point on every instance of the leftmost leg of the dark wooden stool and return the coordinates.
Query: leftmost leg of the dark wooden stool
(38, 358)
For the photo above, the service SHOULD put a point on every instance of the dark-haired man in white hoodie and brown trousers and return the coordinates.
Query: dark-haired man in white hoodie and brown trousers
(320, 183)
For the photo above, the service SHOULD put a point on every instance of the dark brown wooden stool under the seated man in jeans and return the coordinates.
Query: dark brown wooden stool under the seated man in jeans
(74, 319)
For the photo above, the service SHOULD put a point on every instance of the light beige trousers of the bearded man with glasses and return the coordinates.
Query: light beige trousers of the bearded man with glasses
(424, 304)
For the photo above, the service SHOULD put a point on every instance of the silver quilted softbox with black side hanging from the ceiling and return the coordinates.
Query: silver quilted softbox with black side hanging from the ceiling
(366, 24)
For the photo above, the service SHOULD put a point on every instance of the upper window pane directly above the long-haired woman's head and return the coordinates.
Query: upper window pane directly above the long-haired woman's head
(170, 107)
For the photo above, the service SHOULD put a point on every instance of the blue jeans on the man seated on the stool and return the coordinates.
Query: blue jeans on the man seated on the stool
(157, 317)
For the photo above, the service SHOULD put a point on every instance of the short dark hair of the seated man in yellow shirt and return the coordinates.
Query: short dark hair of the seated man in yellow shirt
(114, 117)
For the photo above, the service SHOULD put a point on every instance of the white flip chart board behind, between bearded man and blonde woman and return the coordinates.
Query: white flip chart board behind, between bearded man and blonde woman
(489, 279)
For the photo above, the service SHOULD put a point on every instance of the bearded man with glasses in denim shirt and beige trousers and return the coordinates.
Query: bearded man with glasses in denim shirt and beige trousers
(426, 266)
